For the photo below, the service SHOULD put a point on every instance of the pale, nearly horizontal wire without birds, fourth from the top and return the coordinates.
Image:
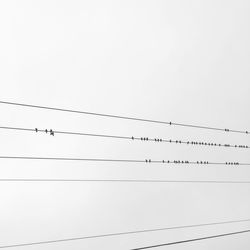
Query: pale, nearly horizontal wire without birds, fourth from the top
(122, 181)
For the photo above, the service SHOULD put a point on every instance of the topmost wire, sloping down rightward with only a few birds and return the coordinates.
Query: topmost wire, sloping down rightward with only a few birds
(125, 117)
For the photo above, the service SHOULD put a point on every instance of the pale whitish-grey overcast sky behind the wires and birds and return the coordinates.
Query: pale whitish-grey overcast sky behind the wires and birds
(181, 61)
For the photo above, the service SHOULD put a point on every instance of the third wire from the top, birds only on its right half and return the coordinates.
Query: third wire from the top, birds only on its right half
(124, 160)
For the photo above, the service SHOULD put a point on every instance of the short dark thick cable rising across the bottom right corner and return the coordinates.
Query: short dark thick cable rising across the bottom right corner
(192, 240)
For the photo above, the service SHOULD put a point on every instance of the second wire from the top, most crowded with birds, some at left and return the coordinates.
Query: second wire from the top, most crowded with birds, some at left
(53, 132)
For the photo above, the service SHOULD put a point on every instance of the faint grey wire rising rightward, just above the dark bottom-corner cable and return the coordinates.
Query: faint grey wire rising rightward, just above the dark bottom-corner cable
(123, 233)
